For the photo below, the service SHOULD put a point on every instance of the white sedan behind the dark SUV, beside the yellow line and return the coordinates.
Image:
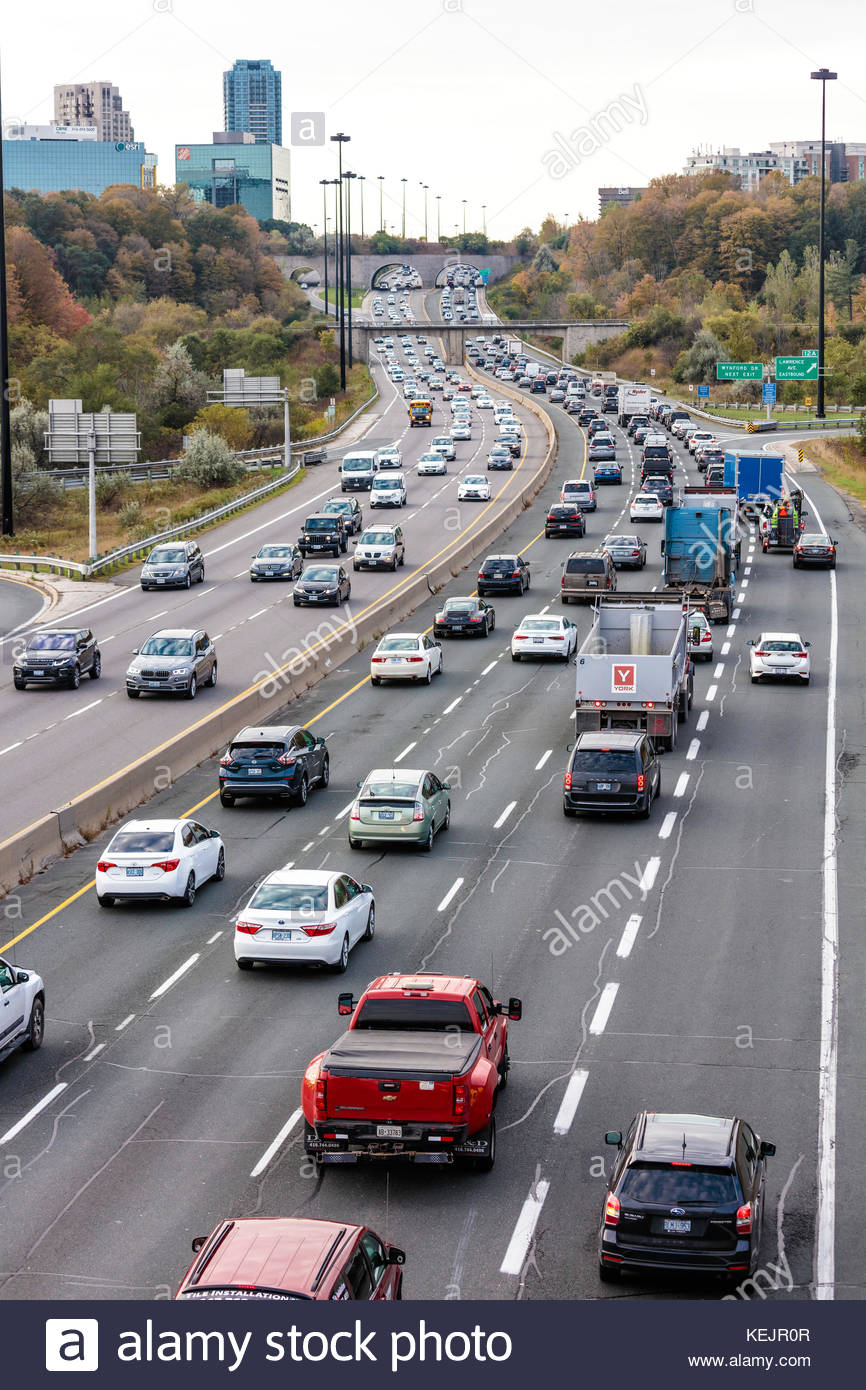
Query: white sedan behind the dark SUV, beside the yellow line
(165, 860)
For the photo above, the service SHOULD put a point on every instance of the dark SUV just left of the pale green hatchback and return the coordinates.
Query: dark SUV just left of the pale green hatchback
(280, 761)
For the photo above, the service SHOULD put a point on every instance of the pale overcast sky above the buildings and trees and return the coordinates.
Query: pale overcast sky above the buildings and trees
(497, 102)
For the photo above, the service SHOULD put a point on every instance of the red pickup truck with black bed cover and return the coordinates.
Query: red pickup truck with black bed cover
(416, 1077)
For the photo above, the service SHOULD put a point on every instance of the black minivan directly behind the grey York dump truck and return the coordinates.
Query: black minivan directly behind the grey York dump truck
(612, 771)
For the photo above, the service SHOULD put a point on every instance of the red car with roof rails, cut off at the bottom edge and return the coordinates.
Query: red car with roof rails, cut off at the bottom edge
(293, 1257)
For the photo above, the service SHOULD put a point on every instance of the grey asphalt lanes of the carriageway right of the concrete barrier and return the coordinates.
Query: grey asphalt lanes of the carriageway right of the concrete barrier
(158, 1109)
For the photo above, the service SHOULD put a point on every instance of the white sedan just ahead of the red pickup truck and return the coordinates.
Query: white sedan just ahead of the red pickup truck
(305, 917)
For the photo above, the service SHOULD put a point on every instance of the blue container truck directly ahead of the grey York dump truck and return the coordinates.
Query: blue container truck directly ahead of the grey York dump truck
(701, 550)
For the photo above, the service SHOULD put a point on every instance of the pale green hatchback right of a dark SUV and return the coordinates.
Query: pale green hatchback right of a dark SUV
(400, 806)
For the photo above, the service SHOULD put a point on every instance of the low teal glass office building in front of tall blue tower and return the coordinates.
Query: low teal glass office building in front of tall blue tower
(245, 172)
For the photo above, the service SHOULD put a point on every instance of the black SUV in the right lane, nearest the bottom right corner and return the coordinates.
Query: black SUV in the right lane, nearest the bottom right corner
(686, 1195)
